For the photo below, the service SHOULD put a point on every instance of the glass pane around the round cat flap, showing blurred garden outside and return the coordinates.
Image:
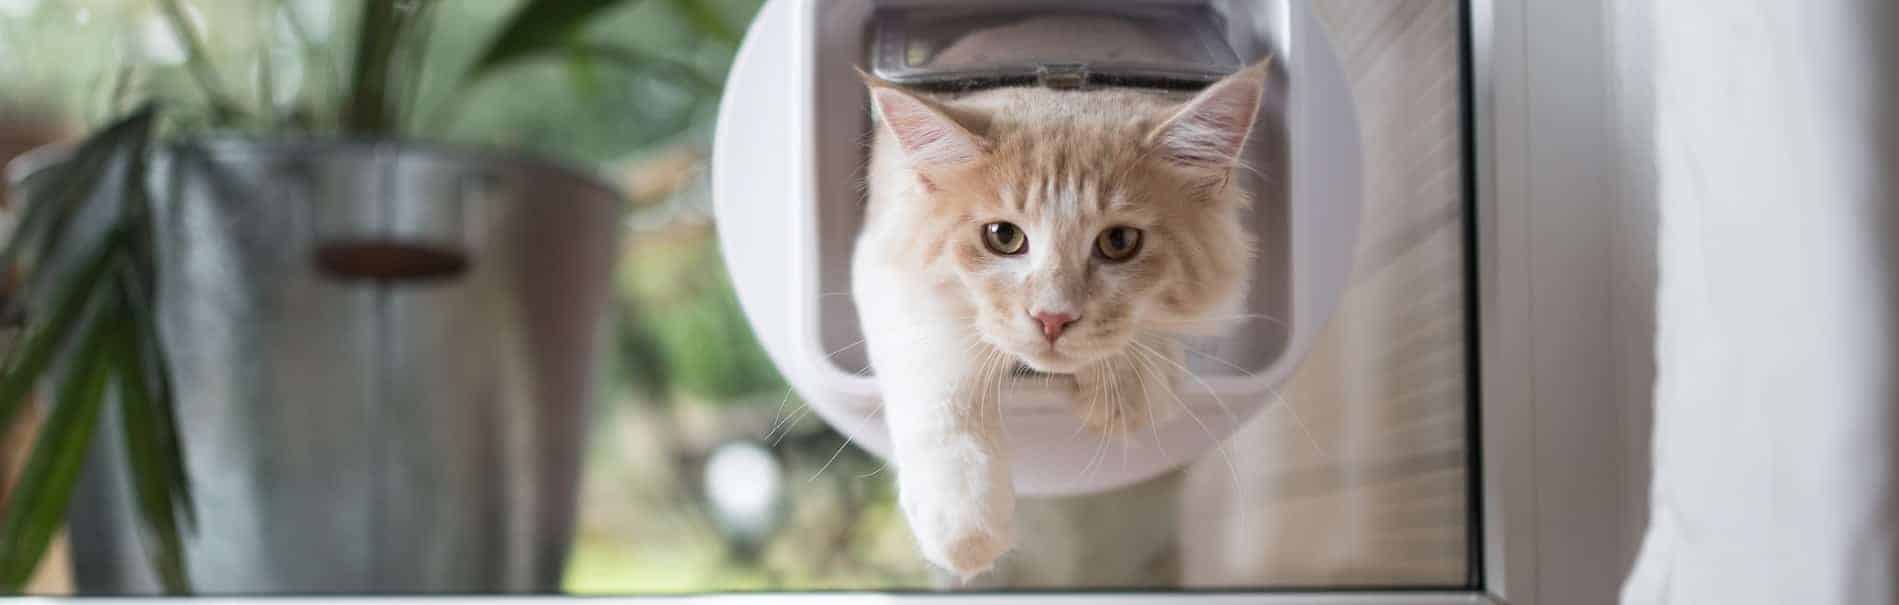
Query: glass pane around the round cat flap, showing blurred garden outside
(704, 473)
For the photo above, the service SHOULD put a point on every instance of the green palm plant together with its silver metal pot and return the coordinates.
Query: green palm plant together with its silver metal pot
(303, 348)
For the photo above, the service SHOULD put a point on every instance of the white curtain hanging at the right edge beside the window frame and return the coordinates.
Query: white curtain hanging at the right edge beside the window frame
(1777, 174)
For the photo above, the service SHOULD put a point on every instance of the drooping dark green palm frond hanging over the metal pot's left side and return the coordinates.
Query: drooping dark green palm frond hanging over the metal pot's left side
(100, 329)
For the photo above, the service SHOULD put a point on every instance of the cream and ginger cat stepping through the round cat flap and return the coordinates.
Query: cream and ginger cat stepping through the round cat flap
(1059, 230)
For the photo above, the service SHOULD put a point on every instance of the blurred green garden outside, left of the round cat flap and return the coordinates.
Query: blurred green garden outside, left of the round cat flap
(702, 469)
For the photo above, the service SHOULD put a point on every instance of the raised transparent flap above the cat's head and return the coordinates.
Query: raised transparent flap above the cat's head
(1127, 45)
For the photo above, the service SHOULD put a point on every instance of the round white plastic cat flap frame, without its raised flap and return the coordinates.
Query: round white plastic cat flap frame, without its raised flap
(787, 174)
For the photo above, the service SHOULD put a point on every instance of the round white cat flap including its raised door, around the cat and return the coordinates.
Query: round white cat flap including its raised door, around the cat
(789, 172)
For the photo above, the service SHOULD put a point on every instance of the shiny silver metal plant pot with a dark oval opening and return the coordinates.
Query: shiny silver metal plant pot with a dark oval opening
(385, 359)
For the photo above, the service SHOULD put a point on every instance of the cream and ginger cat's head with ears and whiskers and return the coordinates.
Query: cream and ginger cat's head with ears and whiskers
(1076, 219)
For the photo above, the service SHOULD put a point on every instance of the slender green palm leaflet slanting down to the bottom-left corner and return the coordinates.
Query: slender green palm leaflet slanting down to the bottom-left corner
(39, 504)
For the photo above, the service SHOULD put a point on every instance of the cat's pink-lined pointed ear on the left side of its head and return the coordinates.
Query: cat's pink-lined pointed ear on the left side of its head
(931, 139)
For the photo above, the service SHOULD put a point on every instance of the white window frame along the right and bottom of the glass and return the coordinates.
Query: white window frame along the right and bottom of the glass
(1514, 232)
